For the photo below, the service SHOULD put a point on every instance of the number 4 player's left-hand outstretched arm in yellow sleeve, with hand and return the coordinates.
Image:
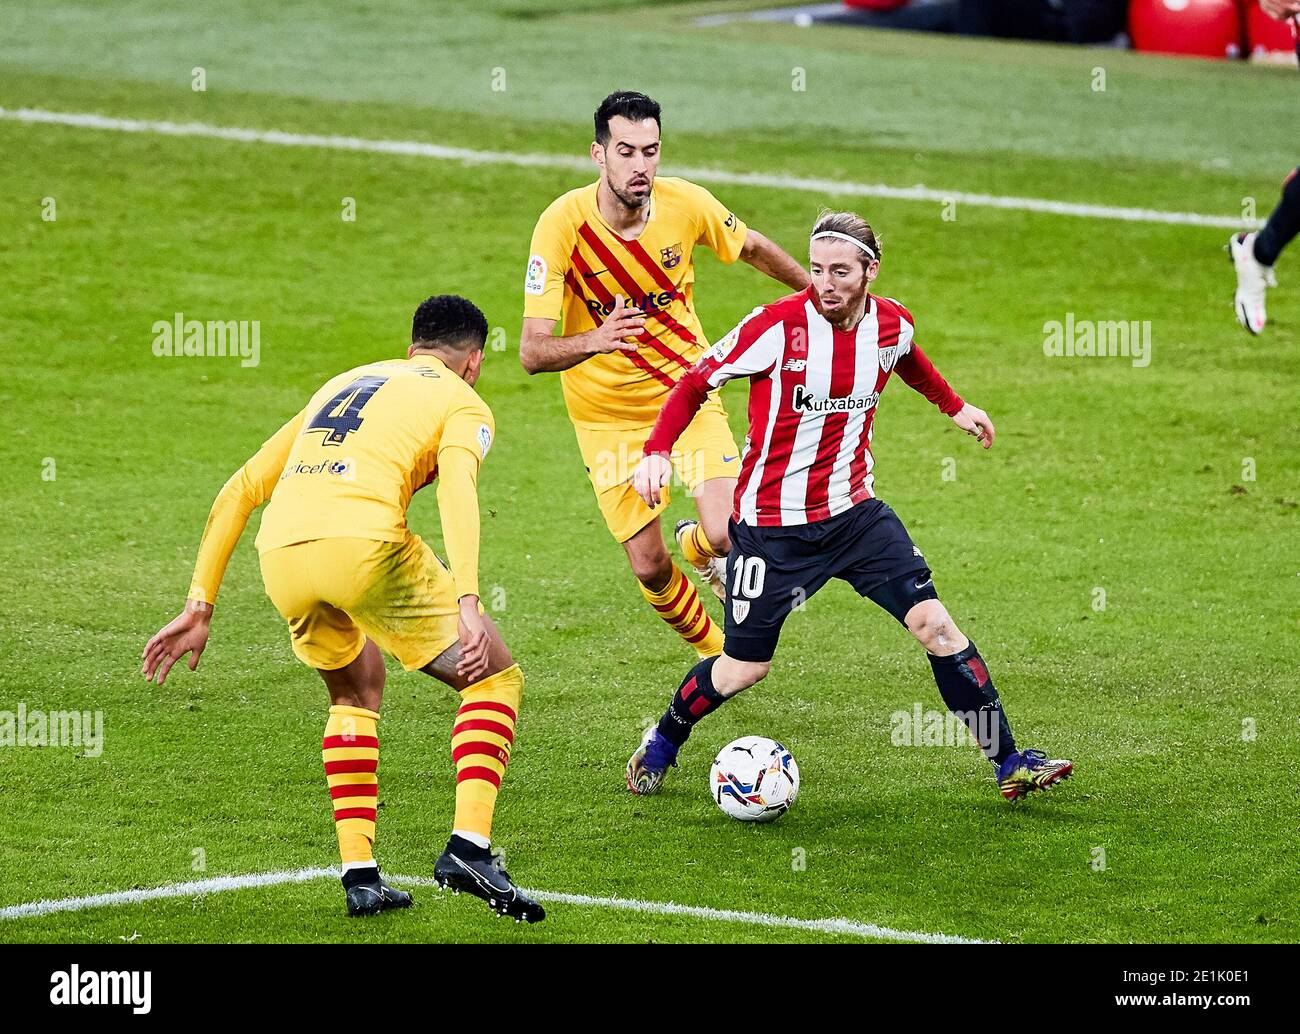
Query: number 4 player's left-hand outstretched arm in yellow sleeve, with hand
(248, 490)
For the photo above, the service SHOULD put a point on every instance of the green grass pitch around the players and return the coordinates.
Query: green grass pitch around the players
(1168, 491)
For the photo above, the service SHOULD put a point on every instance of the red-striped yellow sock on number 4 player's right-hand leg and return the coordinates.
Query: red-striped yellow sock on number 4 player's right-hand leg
(480, 747)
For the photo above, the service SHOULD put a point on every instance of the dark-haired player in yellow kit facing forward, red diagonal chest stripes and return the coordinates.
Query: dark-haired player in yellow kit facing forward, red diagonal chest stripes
(613, 266)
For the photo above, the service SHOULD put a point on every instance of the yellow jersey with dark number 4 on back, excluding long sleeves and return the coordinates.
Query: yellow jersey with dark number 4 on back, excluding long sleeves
(367, 442)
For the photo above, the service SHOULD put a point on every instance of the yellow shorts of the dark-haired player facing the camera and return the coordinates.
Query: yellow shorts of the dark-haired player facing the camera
(705, 451)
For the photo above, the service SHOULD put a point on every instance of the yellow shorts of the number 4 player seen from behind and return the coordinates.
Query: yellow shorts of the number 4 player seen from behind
(336, 592)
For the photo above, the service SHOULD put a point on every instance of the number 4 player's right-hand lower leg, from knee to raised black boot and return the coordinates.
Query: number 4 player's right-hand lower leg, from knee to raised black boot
(482, 741)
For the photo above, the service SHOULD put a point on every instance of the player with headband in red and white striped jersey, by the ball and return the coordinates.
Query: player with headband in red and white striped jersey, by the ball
(805, 510)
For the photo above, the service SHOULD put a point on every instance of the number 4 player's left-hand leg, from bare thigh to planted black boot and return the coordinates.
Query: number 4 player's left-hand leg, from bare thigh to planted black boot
(352, 754)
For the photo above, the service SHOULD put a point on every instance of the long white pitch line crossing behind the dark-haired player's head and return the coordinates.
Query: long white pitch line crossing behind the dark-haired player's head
(419, 149)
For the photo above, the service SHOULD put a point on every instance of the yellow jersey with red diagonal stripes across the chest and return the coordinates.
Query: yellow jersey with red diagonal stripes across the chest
(577, 267)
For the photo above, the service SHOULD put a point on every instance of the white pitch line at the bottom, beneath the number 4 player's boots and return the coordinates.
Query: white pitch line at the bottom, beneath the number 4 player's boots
(302, 876)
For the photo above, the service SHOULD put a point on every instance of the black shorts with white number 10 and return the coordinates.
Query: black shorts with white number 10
(774, 572)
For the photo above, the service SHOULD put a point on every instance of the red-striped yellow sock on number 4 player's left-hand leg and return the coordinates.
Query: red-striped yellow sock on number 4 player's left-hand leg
(352, 755)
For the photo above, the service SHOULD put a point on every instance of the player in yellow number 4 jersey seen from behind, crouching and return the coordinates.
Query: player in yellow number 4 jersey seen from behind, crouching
(348, 574)
